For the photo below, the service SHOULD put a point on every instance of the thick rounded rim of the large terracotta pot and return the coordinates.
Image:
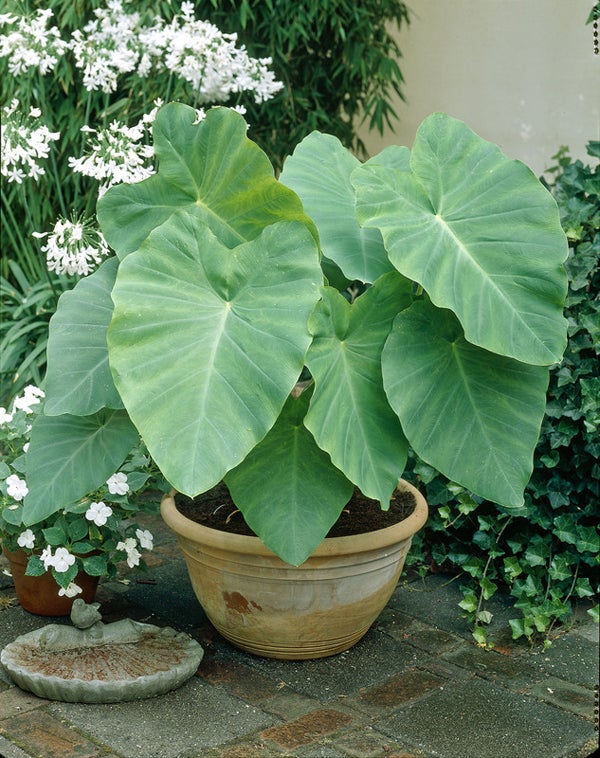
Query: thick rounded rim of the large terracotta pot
(356, 543)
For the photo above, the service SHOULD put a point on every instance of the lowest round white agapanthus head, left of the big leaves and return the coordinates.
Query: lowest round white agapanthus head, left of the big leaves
(73, 246)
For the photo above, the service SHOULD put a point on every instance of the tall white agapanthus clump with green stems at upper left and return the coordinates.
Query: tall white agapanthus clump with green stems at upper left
(79, 84)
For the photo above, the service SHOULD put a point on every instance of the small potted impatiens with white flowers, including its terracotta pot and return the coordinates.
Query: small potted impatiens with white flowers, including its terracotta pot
(65, 554)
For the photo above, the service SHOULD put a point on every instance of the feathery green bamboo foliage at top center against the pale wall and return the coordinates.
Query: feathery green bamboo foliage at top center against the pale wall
(338, 60)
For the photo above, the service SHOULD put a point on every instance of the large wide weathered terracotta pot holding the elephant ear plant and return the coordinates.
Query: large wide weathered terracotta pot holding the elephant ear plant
(269, 608)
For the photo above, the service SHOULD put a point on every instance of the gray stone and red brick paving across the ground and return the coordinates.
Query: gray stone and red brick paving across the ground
(416, 686)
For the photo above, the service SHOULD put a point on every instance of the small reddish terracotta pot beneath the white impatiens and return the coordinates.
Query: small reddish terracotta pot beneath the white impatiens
(39, 594)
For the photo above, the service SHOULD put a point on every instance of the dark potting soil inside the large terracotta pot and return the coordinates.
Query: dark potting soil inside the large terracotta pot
(217, 510)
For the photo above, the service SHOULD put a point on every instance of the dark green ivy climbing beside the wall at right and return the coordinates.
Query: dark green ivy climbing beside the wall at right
(547, 555)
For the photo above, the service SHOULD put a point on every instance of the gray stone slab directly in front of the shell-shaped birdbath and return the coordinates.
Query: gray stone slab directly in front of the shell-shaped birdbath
(185, 722)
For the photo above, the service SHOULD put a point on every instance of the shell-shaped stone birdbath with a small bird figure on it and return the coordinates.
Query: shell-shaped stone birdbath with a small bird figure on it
(94, 662)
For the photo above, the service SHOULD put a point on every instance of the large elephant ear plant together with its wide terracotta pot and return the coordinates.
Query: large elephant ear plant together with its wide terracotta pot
(418, 296)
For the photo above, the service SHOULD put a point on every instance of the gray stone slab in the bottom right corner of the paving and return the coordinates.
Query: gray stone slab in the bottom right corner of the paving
(477, 719)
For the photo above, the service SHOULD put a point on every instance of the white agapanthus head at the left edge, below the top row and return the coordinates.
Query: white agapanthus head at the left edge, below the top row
(24, 142)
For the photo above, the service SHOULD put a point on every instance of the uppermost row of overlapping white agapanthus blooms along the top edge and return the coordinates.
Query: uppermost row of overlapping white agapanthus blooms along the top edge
(116, 42)
